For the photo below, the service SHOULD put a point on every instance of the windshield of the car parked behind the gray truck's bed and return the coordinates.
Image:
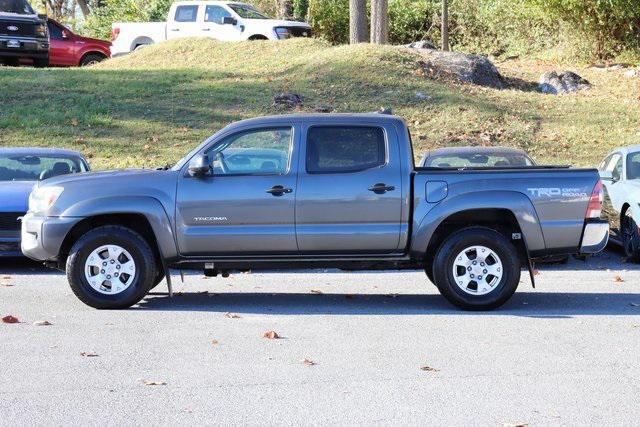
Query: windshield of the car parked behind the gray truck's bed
(478, 160)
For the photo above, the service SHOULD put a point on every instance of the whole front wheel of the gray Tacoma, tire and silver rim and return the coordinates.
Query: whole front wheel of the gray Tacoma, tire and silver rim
(111, 267)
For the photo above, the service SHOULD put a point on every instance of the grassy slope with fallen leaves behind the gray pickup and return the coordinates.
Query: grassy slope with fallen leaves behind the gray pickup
(153, 106)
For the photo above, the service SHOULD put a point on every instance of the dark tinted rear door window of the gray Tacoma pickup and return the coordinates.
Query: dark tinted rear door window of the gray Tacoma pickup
(345, 149)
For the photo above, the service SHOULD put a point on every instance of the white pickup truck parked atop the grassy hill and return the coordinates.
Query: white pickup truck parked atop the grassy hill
(221, 20)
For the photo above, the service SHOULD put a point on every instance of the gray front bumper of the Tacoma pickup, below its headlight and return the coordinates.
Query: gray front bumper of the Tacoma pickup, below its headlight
(42, 237)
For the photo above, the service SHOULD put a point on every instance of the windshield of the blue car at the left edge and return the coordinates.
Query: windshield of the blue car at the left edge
(34, 168)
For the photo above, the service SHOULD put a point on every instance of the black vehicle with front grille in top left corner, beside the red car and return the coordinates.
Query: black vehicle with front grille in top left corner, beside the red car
(23, 34)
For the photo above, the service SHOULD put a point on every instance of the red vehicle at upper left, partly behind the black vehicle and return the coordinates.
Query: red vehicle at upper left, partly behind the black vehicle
(71, 50)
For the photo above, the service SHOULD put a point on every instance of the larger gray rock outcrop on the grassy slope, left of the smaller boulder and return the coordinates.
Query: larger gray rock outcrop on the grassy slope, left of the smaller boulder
(474, 69)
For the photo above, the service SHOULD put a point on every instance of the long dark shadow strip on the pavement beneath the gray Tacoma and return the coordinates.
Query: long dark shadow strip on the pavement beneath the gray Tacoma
(525, 304)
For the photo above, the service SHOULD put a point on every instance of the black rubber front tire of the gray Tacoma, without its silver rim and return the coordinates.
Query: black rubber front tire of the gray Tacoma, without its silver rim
(136, 245)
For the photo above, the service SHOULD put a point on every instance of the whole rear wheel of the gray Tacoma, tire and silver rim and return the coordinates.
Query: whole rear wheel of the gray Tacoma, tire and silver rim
(477, 269)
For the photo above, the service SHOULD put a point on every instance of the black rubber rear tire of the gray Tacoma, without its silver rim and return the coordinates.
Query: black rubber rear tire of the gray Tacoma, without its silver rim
(459, 241)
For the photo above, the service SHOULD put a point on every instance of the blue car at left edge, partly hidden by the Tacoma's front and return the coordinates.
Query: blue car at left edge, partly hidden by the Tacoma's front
(20, 168)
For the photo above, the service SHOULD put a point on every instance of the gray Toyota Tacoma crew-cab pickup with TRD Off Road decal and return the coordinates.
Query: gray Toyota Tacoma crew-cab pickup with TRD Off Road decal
(305, 191)
